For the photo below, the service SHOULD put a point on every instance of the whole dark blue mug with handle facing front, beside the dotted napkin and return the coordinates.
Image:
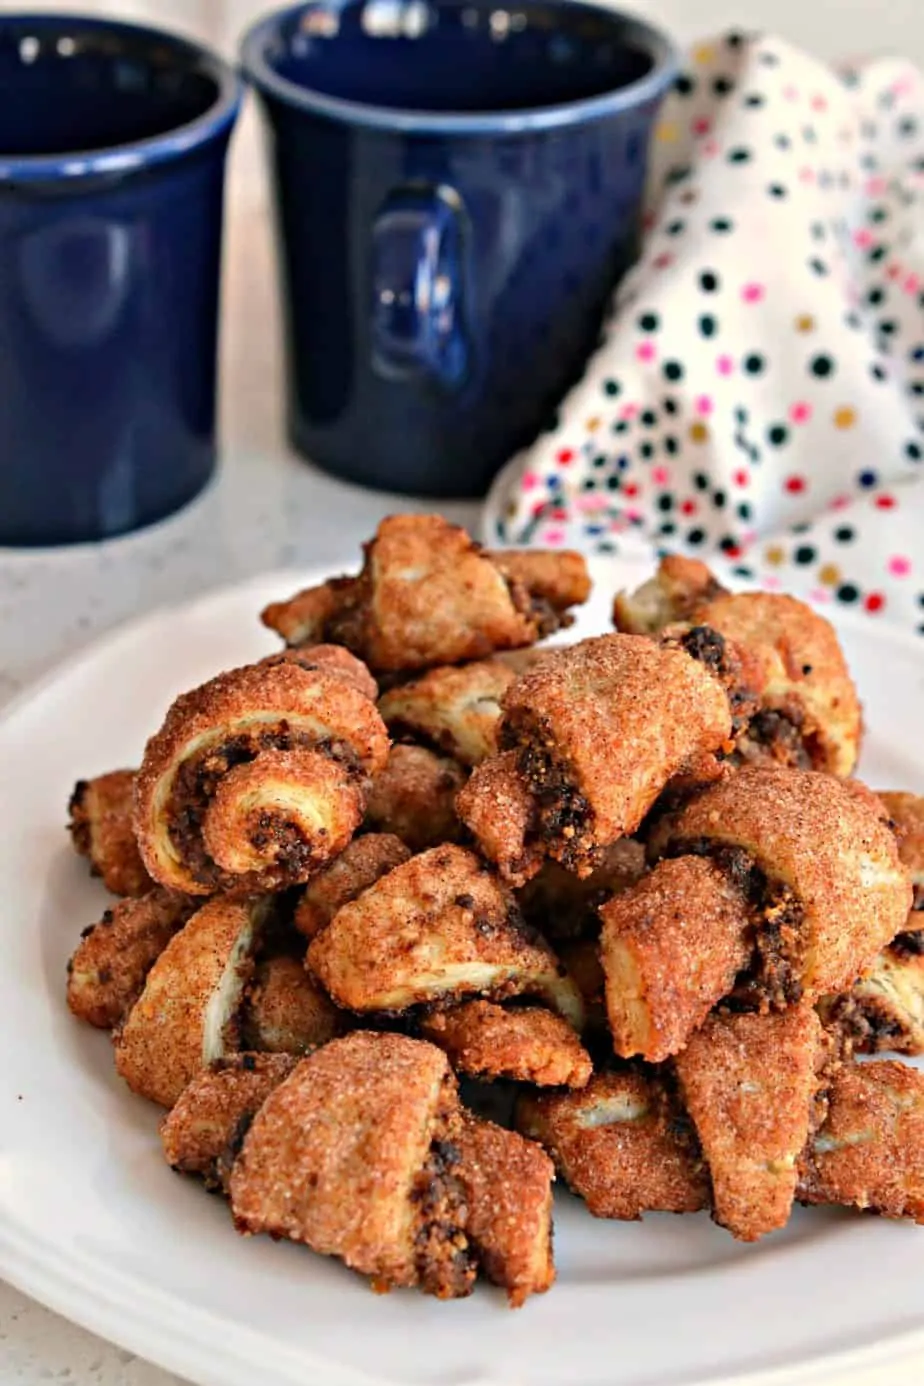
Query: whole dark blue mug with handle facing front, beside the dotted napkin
(459, 188)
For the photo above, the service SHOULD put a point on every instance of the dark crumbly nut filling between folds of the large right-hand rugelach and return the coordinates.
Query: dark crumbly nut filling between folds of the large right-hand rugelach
(774, 978)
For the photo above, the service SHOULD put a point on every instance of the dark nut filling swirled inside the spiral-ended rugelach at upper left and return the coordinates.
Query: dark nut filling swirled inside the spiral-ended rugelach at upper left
(197, 780)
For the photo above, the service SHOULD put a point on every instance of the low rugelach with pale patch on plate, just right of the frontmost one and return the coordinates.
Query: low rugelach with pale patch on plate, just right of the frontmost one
(621, 1144)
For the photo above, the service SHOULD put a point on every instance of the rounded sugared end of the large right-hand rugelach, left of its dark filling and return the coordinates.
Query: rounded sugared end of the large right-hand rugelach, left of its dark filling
(671, 949)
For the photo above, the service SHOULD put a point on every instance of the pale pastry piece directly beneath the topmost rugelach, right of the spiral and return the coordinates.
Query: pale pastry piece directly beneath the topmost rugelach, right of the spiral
(456, 710)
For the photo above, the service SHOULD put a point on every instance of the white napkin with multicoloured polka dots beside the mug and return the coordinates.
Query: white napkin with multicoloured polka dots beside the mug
(758, 394)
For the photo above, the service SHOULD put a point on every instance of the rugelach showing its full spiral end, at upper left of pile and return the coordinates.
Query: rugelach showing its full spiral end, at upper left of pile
(260, 777)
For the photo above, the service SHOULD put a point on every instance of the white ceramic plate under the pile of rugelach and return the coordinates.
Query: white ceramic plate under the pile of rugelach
(95, 1225)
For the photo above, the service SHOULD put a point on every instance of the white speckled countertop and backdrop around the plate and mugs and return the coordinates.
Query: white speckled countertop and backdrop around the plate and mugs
(269, 511)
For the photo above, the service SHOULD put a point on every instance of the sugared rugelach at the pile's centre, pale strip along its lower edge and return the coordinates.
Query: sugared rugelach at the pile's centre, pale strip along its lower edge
(438, 928)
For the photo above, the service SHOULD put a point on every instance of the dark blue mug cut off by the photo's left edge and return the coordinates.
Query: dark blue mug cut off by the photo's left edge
(113, 142)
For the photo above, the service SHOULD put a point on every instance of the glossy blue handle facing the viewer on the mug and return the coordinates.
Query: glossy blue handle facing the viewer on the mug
(418, 288)
